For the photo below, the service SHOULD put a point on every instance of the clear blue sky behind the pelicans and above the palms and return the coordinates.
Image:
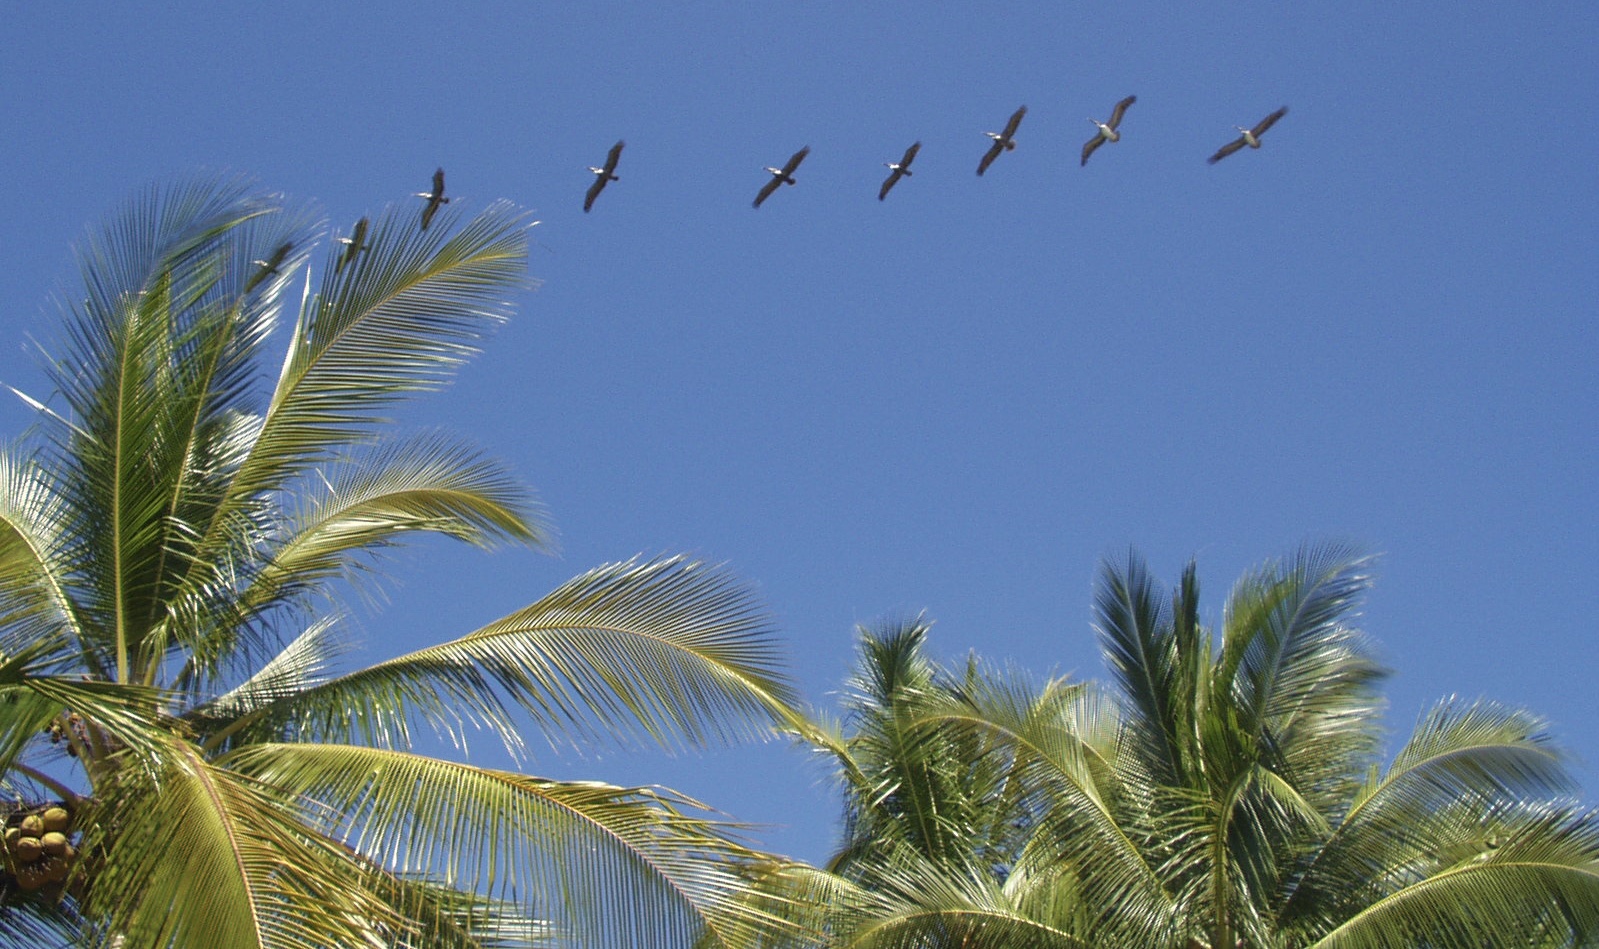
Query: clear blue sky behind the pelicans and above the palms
(1379, 329)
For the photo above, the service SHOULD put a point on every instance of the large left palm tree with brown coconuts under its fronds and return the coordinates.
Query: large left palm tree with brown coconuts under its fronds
(194, 761)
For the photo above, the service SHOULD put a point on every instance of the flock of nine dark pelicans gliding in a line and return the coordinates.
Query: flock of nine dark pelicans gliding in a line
(1003, 142)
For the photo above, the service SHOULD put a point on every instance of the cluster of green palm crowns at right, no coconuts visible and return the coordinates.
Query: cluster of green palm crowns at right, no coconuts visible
(1227, 793)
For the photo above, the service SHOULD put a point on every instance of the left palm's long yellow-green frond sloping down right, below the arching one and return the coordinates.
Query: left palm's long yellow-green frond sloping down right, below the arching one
(605, 865)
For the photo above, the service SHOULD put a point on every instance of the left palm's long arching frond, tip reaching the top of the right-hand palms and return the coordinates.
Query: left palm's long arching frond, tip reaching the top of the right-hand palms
(669, 651)
